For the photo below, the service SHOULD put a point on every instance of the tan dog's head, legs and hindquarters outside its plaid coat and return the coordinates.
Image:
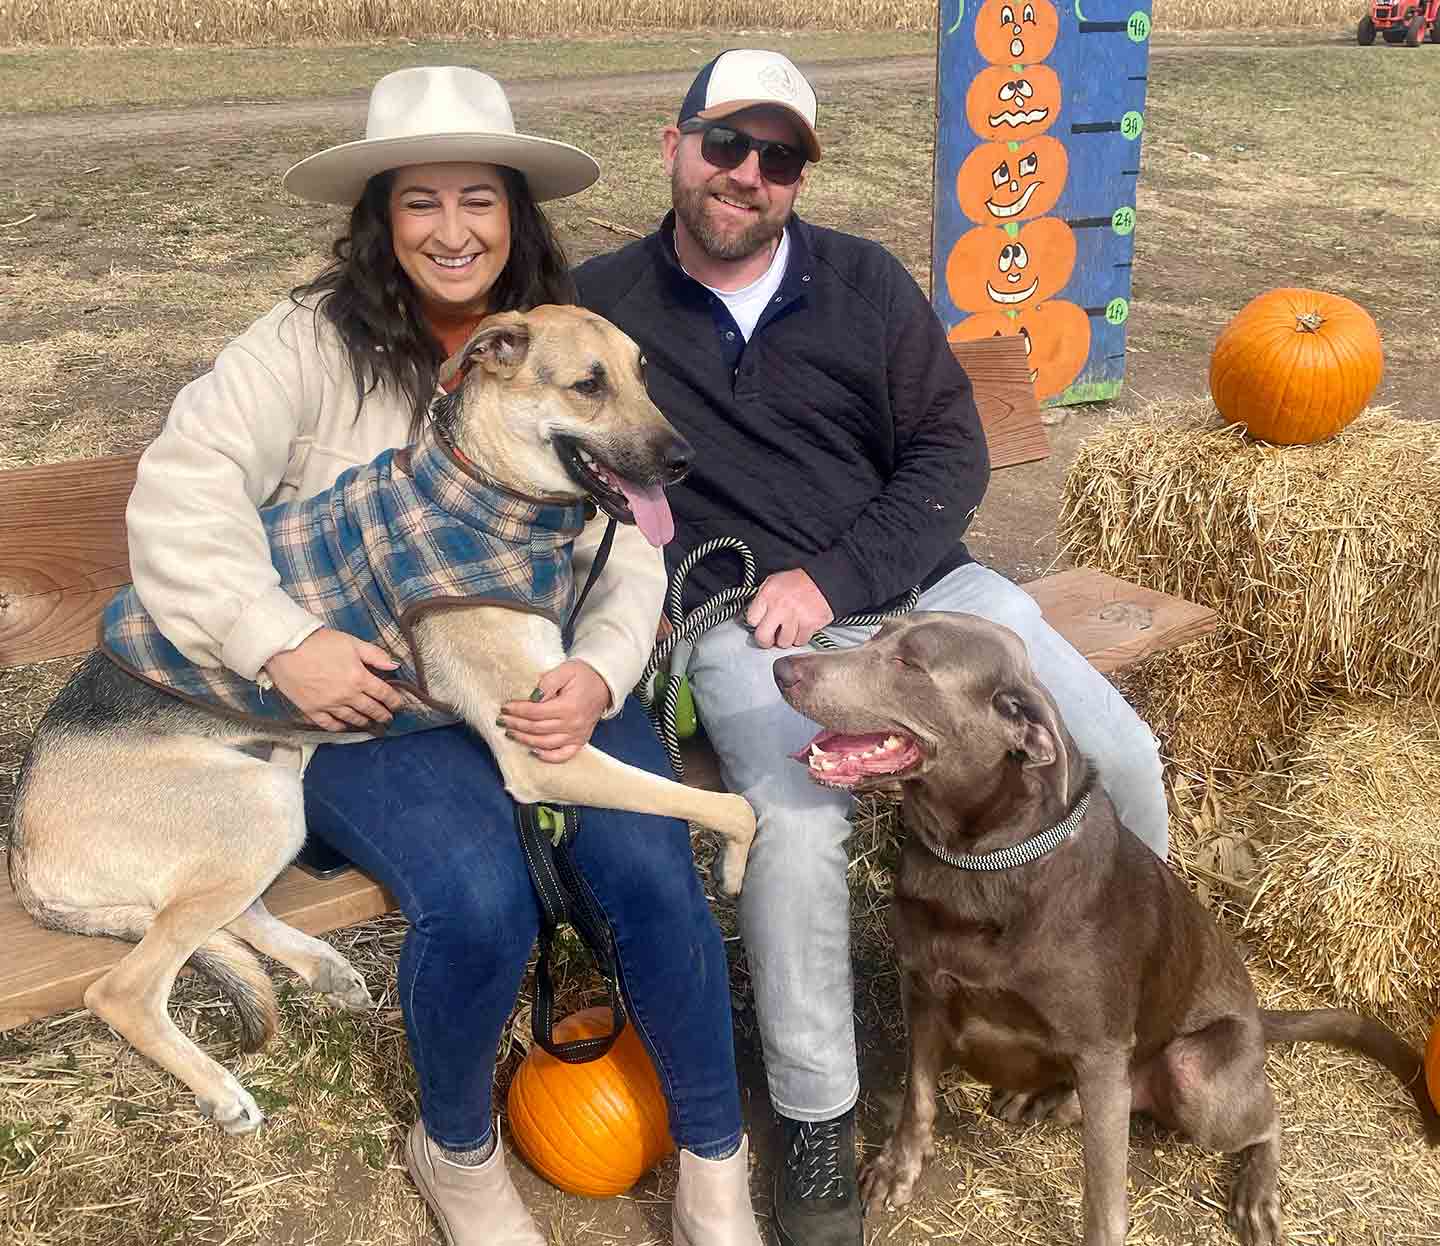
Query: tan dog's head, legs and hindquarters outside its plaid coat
(146, 817)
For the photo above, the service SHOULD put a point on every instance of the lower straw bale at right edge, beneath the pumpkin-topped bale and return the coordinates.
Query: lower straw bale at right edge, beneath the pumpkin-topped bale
(1350, 866)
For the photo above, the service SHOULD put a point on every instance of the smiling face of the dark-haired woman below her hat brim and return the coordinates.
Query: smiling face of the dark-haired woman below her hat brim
(450, 225)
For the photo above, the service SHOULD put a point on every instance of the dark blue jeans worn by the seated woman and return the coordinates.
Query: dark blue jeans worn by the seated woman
(427, 815)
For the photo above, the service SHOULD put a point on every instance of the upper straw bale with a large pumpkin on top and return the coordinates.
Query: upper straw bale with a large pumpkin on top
(1324, 561)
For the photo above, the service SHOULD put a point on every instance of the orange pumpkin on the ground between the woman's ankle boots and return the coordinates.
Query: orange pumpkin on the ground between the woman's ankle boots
(593, 1129)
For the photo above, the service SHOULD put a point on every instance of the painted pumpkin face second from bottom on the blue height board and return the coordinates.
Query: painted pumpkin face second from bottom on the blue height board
(996, 270)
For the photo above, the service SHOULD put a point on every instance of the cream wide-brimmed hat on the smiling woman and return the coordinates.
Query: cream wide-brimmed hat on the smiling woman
(437, 115)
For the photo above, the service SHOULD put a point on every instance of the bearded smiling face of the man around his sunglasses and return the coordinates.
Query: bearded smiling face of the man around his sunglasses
(731, 215)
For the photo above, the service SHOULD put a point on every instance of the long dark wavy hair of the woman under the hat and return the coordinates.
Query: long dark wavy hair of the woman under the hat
(371, 300)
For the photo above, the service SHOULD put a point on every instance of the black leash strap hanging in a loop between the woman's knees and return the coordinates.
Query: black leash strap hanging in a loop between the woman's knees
(546, 835)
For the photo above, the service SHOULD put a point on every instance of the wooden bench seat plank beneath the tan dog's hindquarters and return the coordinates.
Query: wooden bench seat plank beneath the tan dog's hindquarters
(48, 973)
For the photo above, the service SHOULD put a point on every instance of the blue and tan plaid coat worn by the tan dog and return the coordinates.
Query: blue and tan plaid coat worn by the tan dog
(413, 531)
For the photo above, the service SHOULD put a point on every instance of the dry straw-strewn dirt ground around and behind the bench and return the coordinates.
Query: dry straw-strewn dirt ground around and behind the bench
(159, 233)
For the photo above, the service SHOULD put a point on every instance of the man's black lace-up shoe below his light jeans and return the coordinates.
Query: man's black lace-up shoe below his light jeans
(817, 1198)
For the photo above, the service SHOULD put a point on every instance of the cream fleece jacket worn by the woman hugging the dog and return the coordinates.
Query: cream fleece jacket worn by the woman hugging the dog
(274, 421)
